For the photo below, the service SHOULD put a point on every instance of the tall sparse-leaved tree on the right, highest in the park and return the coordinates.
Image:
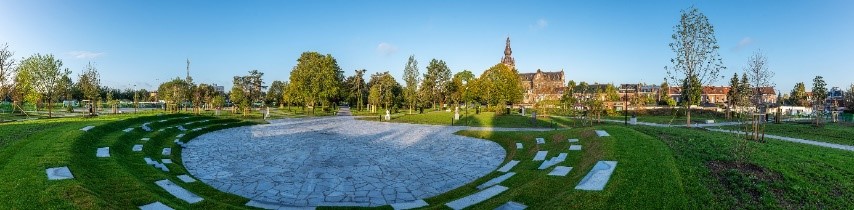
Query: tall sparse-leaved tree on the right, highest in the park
(696, 49)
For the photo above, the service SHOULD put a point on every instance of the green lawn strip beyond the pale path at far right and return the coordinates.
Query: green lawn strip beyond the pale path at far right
(837, 133)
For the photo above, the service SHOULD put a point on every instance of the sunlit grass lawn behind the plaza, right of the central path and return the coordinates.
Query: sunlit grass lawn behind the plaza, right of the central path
(483, 119)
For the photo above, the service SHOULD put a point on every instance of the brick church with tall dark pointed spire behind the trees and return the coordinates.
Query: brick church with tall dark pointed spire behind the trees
(539, 85)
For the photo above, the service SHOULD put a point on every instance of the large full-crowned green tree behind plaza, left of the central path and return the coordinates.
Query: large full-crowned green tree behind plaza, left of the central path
(316, 79)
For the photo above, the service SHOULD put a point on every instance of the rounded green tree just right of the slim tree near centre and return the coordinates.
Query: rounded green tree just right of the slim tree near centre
(434, 87)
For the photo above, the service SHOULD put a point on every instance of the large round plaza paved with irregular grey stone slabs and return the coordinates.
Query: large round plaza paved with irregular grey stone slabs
(339, 161)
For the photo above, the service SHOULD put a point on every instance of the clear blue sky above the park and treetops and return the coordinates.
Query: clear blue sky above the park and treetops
(146, 42)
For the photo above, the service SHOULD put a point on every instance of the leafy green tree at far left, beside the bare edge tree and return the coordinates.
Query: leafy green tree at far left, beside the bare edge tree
(46, 75)
